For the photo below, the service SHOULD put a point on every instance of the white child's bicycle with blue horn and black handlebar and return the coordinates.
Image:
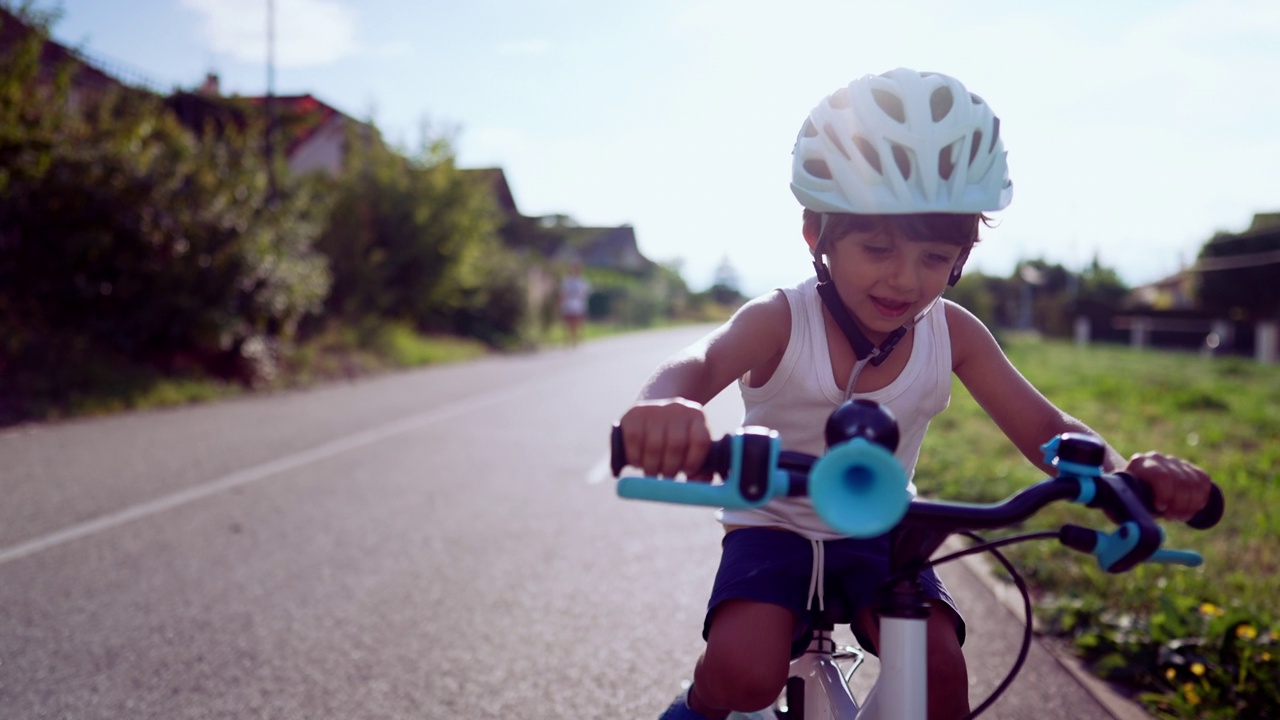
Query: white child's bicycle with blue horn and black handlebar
(861, 490)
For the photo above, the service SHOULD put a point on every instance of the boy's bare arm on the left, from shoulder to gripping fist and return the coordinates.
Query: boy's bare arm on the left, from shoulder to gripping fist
(666, 431)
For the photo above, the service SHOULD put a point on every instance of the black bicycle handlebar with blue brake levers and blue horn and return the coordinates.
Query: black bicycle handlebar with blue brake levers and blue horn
(860, 490)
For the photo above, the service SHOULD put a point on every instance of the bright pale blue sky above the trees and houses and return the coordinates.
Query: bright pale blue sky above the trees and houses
(1135, 130)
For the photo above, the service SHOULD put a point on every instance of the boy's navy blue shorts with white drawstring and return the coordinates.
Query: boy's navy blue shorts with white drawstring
(775, 567)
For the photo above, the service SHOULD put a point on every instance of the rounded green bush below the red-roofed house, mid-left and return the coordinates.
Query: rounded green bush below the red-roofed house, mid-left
(417, 239)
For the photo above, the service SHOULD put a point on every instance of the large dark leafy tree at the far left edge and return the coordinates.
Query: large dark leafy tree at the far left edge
(124, 235)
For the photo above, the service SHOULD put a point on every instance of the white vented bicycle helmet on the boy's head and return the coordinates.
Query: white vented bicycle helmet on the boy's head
(902, 143)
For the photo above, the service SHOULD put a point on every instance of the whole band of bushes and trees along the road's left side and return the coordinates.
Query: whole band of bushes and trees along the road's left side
(145, 262)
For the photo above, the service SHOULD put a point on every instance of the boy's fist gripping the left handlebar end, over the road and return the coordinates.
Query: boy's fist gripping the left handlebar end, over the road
(665, 438)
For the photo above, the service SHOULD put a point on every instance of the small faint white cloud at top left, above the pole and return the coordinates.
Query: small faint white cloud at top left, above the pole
(308, 33)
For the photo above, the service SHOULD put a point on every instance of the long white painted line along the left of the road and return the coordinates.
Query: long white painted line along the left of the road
(250, 476)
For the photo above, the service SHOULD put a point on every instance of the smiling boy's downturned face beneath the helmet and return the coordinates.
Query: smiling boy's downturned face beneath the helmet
(886, 280)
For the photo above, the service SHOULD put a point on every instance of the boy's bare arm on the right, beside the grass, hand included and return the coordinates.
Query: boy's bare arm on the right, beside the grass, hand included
(1028, 418)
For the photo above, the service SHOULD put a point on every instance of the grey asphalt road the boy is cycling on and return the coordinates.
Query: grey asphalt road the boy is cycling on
(437, 544)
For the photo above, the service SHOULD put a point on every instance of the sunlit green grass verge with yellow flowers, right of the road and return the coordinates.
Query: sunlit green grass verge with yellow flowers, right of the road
(1148, 628)
